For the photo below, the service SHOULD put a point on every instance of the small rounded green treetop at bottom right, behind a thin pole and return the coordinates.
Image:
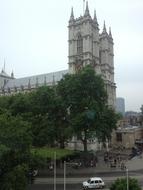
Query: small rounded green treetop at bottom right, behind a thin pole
(121, 184)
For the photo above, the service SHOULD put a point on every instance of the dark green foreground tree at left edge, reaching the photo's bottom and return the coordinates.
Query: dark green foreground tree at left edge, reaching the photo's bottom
(15, 141)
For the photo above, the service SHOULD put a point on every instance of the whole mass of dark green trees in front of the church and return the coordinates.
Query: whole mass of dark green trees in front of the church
(76, 106)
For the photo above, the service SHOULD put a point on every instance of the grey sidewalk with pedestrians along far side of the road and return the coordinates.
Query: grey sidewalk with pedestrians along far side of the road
(135, 164)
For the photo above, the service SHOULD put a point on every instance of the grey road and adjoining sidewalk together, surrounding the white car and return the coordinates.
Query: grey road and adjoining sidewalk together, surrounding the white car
(75, 177)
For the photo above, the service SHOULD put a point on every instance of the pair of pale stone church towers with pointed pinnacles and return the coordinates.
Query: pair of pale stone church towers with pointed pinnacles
(89, 47)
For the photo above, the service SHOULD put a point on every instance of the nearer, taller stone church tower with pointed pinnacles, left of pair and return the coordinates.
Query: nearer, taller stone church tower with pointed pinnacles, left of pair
(83, 41)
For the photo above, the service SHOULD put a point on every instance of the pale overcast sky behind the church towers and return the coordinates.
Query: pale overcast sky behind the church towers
(34, 35)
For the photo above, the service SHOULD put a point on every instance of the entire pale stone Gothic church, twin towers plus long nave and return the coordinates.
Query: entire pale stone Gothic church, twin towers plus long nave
(86, 47)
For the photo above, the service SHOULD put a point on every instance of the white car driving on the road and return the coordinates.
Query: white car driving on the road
(93, 183)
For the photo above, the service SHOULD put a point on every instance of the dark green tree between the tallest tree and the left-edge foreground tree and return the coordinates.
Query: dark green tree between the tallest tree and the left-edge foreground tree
(46, 113)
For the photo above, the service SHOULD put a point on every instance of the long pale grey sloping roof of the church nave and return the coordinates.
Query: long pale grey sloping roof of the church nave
(48, 78)
